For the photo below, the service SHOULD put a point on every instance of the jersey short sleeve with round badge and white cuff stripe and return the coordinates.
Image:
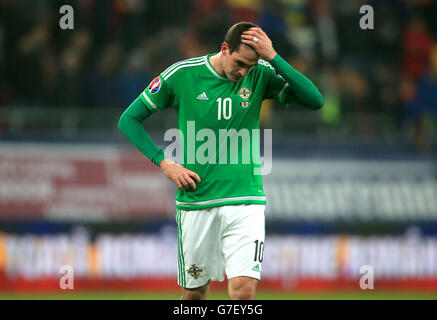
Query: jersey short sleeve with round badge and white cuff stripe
(158, 95)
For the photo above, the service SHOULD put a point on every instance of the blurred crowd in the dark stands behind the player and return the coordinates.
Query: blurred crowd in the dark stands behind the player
(118, 46)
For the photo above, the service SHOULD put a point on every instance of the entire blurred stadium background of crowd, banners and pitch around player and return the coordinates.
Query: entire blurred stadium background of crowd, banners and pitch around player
(352, 184)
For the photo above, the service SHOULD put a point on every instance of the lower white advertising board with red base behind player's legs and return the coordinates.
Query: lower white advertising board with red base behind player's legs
(149, 261)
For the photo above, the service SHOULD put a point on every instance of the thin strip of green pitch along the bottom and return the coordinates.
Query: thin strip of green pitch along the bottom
(221, 295)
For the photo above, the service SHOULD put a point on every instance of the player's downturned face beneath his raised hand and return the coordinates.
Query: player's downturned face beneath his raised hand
(239, 63)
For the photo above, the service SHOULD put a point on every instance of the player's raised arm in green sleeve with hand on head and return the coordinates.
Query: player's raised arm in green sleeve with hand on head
(303, 91)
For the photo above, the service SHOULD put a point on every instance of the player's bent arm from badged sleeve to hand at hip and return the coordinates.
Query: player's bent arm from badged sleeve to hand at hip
(130, 124)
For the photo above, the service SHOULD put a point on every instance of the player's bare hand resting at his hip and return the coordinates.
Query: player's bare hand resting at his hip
(183, 178)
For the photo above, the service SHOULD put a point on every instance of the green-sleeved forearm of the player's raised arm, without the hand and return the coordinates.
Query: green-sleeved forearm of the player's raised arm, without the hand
(307, 93)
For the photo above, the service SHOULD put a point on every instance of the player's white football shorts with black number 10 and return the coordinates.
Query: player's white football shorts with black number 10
(210, 239)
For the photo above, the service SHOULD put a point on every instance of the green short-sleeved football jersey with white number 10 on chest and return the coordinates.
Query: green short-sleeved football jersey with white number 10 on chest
(219, 128)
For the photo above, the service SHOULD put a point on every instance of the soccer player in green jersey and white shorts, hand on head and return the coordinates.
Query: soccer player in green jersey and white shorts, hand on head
(220, 200)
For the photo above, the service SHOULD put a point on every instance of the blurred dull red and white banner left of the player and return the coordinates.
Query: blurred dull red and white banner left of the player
(80, 182)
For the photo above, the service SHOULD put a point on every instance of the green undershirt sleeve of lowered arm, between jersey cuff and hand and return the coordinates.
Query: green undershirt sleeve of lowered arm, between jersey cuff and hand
(130, 124)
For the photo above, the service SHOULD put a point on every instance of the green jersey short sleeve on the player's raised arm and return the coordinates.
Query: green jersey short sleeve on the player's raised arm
(276, 86)
